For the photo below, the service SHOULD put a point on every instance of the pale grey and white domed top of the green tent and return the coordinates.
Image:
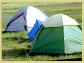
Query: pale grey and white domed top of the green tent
(59, 20)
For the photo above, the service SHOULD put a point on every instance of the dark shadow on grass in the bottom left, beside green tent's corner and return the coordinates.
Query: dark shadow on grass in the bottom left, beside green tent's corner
(14, 53)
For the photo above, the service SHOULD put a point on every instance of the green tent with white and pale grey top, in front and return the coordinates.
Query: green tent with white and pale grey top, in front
(59, 34)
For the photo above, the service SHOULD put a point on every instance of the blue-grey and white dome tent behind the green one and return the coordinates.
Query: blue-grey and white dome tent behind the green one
(25, 19)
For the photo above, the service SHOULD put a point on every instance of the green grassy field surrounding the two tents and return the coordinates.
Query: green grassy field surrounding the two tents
(15, 45)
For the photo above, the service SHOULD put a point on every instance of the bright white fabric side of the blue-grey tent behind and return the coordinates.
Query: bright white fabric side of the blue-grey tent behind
(32, 14)
